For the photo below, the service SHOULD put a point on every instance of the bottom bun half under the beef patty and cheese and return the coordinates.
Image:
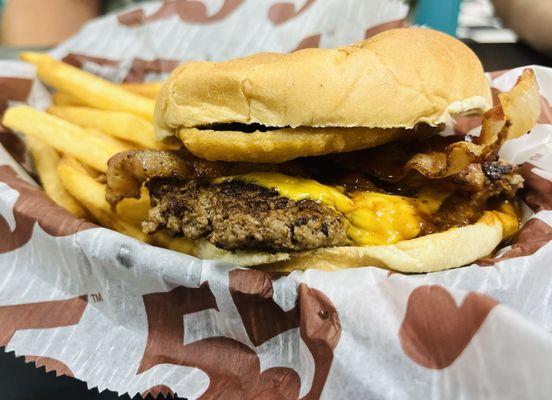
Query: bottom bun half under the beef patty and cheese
(439, 251)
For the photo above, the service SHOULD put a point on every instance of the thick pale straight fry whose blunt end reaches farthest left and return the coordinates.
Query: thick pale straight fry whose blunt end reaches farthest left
(90, 146)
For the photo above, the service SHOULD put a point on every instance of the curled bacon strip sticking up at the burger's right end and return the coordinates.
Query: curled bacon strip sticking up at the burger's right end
(455, 157)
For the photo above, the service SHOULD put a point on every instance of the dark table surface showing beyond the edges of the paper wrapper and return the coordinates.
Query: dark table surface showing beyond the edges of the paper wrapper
(22, 381)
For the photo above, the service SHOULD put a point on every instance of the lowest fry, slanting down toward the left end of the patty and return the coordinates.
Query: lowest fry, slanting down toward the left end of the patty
(91, 194)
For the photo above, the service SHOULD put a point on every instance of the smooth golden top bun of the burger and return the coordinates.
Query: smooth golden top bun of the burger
(395, 79)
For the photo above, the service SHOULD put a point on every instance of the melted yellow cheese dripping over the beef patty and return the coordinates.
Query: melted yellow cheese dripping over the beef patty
(374, 218)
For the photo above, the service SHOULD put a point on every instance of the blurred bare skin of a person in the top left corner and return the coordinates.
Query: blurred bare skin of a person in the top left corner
(44, 22)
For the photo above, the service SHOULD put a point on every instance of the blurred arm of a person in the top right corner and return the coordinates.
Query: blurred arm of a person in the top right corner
(530, 19)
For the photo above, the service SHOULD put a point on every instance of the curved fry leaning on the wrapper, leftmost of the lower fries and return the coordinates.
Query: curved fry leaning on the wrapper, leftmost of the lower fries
(46, 161)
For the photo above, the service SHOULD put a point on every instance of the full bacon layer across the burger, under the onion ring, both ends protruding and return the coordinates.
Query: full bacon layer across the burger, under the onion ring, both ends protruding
(455, 159)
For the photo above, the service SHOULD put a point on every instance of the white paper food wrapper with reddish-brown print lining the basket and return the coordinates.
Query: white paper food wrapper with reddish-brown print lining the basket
(122, 315)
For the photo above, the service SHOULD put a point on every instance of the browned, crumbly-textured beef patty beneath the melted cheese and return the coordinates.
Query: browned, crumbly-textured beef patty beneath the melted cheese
(237, 215)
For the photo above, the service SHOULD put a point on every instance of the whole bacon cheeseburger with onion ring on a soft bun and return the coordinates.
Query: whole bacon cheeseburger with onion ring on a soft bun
(333, 158)
